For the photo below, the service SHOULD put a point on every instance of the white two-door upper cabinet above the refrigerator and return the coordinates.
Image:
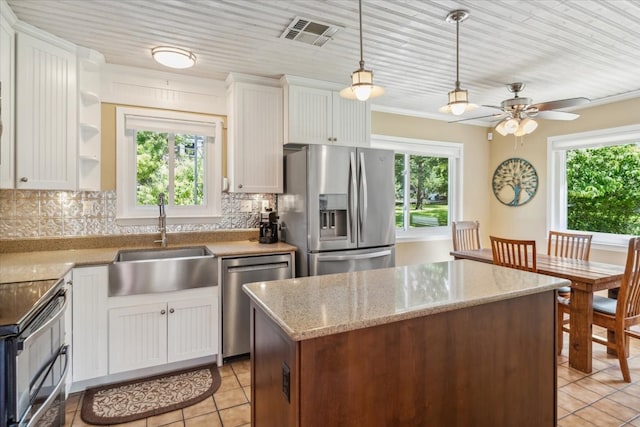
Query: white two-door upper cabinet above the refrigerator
(316, 114)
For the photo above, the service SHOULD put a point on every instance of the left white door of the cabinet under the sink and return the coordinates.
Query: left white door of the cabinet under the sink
(137, 337)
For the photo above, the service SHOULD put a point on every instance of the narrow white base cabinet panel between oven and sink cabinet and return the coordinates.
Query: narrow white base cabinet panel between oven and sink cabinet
(89, 317)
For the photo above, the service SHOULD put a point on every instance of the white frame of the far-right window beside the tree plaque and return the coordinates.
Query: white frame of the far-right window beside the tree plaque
(557, 146)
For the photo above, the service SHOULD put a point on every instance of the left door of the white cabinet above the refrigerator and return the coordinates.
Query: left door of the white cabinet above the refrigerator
(310, 117)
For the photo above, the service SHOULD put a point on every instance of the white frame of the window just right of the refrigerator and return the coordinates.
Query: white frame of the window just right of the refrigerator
(422, 147)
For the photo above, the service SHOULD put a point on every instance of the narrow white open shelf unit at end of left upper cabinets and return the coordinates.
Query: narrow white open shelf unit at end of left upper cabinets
(89, 119)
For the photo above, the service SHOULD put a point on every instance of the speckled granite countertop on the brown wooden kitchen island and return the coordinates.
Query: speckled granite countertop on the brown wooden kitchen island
(312, 307)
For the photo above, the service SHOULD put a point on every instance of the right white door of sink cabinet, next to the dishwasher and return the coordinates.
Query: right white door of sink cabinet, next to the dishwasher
(192, 328)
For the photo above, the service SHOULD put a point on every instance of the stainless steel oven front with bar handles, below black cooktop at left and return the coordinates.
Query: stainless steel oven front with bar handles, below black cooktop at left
(41, 368)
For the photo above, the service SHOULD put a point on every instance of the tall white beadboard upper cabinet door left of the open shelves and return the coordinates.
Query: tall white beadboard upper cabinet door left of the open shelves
(46, 115)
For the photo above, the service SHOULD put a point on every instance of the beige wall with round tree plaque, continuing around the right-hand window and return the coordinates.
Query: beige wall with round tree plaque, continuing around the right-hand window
(529, 221)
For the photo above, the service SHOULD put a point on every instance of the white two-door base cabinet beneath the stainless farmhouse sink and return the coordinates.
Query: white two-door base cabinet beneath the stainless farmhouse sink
(171, 327)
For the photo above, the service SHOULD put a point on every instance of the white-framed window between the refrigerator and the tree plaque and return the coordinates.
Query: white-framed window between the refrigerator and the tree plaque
(427, 184)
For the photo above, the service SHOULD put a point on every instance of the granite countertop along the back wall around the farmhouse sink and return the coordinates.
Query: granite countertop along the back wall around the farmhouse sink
(53, 264)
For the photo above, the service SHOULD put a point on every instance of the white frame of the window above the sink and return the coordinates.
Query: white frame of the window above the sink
(127, 210)
